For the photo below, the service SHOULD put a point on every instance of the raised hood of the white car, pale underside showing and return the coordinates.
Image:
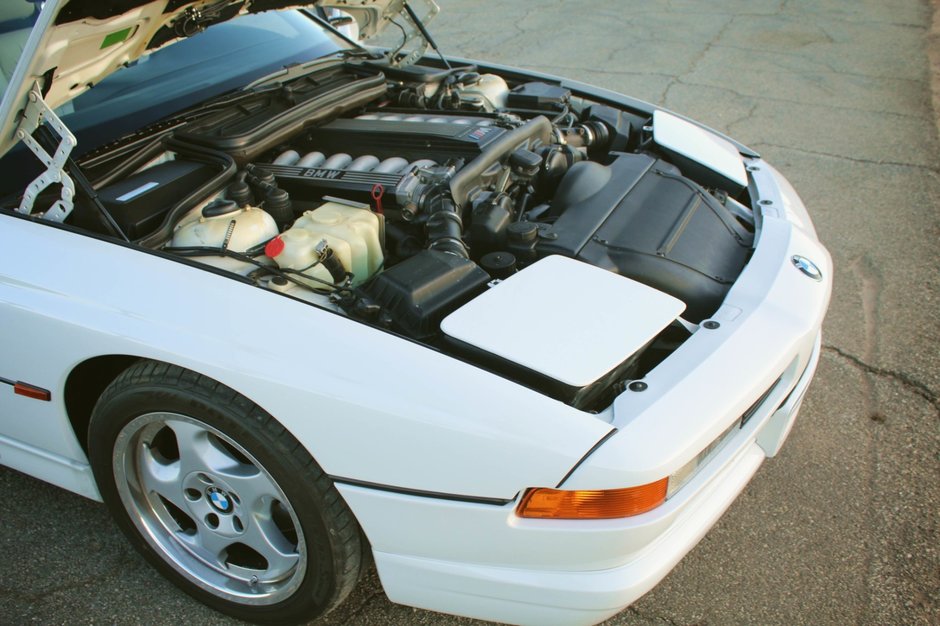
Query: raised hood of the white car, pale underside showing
(77, 43)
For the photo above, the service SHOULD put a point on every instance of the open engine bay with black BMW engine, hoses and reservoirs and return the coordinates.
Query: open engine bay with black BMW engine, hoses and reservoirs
(397, 198)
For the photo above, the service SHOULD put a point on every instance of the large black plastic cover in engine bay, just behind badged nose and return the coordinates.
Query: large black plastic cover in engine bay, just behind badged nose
(641, 218)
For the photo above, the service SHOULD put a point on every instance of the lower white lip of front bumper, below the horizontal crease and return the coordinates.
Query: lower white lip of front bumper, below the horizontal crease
(527, 596)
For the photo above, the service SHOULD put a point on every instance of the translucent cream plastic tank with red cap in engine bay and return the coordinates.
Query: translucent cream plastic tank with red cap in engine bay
(352, 232)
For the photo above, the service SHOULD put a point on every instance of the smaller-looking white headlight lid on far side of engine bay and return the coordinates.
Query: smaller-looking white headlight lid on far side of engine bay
(699, 145)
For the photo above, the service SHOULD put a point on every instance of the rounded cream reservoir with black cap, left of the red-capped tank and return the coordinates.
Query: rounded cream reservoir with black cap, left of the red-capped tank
(223, 223)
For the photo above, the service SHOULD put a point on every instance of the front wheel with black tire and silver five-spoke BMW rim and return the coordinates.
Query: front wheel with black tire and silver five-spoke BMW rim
(171, 449)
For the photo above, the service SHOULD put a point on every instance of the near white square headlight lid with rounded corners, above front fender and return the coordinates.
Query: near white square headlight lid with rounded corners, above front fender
(568, 320)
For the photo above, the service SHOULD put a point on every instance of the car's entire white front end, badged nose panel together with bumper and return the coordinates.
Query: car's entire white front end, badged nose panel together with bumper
(484, 561)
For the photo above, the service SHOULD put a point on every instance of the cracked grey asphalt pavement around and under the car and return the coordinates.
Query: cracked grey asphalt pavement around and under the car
(840, 528)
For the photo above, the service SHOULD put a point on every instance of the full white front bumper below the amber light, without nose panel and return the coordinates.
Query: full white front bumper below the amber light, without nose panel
(542, 593)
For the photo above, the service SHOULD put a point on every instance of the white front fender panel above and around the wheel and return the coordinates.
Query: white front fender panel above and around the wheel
(369, 406)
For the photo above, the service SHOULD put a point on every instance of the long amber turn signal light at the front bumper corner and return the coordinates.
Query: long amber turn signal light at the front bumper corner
(599, 504)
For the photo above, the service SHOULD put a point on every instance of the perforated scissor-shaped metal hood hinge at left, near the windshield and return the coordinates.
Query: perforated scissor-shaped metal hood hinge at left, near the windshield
(37, 112)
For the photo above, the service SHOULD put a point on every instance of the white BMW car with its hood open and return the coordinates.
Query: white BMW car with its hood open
(289, 305)
